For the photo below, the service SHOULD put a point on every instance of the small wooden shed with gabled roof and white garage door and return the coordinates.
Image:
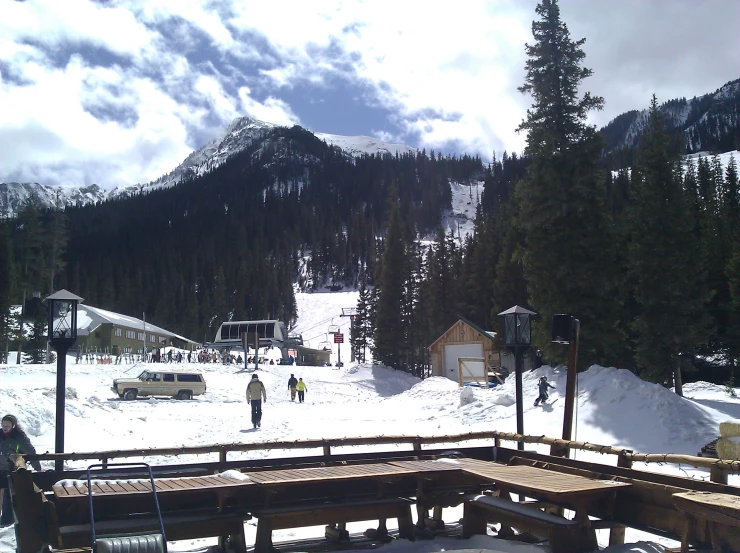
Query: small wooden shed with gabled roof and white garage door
(464, 339)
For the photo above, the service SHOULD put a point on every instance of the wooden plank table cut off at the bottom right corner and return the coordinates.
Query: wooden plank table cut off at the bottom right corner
(719, 512)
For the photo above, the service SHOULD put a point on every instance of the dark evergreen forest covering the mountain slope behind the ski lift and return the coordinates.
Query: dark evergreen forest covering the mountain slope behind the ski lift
(290, 211)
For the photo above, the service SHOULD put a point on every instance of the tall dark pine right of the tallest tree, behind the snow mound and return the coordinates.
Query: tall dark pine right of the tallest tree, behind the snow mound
(669, 290)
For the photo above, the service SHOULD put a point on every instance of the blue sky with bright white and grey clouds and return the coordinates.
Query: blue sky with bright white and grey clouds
(115, 92)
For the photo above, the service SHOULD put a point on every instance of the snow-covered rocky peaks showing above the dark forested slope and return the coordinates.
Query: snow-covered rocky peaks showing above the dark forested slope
(242, 133)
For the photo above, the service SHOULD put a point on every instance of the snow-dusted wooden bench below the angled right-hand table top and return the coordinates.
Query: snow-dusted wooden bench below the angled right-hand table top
(565, 536)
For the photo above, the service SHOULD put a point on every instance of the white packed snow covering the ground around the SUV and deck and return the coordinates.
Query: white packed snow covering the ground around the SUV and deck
(614, 408)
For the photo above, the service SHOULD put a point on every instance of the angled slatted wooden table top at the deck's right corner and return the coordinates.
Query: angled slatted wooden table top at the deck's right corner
(522, 478)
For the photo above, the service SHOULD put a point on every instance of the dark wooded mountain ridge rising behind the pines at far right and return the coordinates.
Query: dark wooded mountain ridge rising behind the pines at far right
(710, 122)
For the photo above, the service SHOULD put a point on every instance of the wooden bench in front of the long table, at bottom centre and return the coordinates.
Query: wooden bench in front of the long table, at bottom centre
(314, 514)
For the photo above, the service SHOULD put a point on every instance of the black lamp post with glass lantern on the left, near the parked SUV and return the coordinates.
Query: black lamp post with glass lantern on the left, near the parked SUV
(62, 335)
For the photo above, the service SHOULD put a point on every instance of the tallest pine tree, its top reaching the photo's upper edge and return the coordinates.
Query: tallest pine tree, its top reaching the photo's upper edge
(568, 261)
